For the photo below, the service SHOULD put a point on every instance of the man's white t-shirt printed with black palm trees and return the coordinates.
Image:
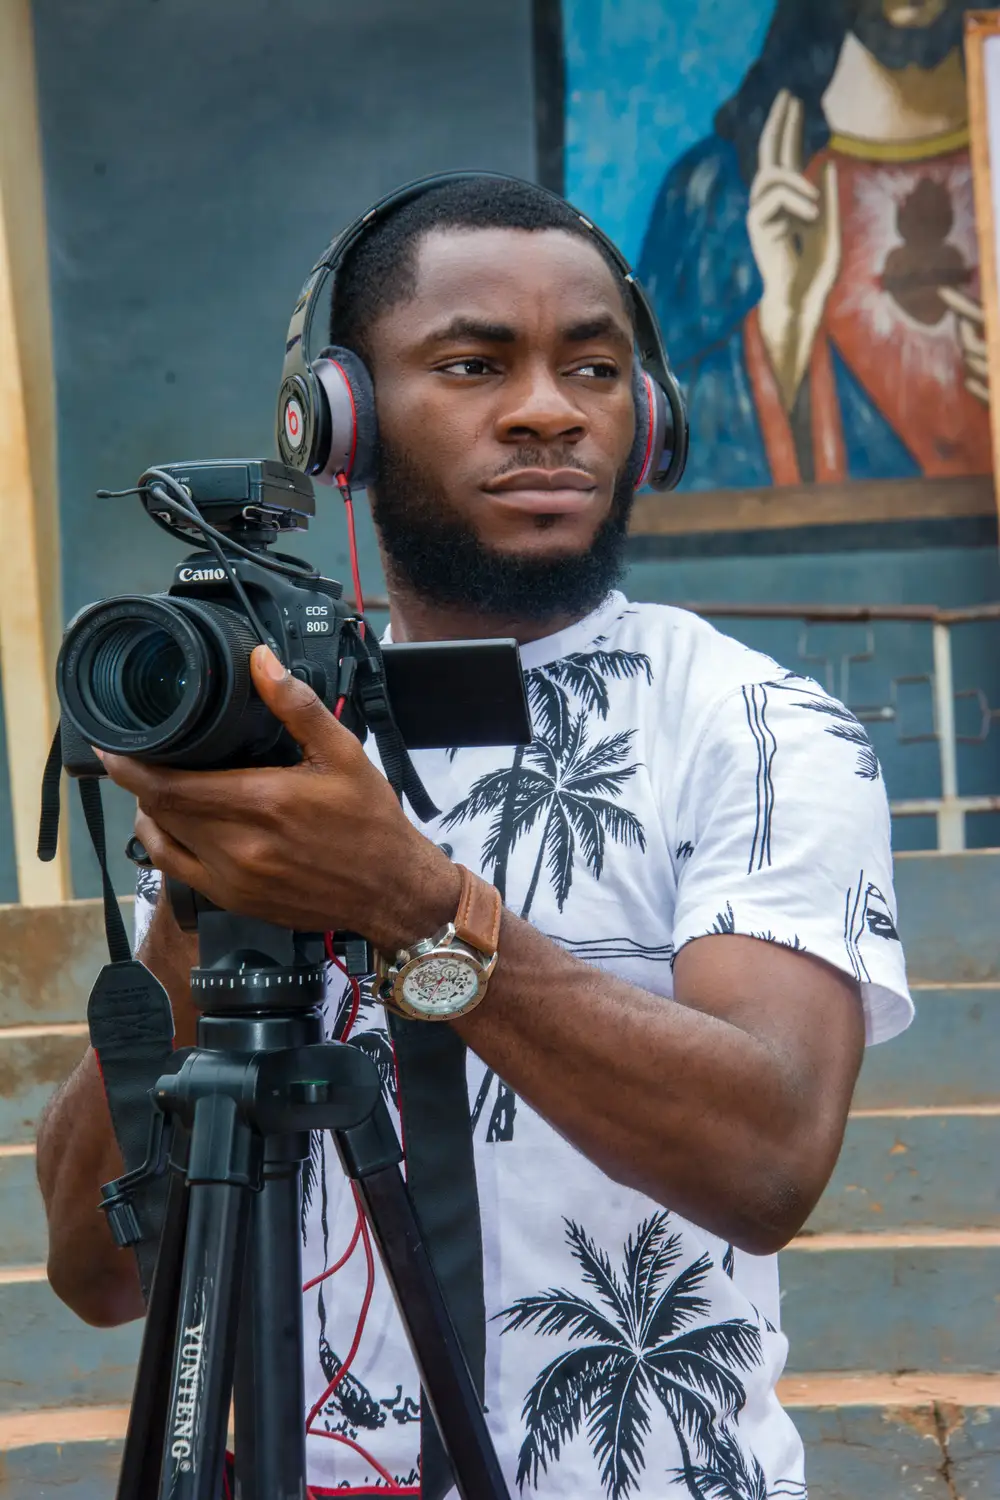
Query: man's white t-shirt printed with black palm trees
(678, 785)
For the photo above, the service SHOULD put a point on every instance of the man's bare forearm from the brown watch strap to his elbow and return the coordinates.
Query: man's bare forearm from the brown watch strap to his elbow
(684, 1106)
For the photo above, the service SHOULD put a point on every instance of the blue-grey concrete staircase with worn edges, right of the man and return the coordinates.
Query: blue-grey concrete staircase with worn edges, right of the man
(891, 1297)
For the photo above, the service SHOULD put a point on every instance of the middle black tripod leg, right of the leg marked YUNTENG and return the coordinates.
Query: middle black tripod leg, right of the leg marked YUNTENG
(271, 1397)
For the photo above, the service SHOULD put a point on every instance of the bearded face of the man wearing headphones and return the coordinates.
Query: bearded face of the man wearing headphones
(506, 422)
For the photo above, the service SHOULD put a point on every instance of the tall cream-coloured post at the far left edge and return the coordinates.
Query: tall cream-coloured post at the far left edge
(31, 596)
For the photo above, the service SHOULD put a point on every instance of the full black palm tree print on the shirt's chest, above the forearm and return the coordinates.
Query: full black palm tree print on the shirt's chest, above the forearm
(570, 793)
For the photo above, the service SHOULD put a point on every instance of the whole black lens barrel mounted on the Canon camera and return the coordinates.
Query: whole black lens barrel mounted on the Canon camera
(167, 680)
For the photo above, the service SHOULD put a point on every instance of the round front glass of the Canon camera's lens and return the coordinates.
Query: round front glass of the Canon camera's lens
(137, 676)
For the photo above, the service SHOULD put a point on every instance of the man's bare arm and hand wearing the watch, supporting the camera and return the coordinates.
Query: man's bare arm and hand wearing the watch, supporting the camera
(728, 1105)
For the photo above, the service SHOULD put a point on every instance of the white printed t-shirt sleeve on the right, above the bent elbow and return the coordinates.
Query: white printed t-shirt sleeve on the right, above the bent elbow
(783, 835)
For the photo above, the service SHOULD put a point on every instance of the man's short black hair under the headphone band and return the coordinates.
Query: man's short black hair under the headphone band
(382, 269)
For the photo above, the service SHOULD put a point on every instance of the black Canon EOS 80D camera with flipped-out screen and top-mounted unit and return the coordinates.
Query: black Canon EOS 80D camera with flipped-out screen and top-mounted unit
(167, 677)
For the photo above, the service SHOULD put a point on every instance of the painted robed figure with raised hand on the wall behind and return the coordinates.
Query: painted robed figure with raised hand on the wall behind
(815, 260)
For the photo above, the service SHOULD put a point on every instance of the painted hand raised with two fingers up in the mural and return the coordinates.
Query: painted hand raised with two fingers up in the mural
(795, 235)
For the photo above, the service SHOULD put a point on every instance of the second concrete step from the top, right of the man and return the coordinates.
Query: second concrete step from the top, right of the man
(951, 1054)
